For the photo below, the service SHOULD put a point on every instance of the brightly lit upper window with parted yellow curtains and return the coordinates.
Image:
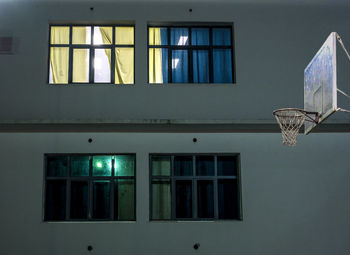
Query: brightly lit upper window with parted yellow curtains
(91, 54)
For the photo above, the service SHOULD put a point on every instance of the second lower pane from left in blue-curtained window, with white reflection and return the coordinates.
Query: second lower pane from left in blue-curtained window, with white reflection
(179, 66)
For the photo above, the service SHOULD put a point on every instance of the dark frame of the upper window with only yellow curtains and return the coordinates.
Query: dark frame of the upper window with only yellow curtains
(91, 48)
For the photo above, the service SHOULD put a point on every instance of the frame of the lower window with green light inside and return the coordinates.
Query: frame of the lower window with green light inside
(90, 178)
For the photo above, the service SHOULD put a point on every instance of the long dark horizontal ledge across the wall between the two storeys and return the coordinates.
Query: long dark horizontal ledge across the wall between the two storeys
(161, 127)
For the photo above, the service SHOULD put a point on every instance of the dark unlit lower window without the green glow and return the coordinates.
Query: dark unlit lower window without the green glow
(195, 187)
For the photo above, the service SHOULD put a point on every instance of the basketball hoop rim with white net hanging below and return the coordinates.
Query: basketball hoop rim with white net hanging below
(290, 121)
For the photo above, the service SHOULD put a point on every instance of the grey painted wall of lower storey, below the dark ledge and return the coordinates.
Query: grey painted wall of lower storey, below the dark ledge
(295, 200)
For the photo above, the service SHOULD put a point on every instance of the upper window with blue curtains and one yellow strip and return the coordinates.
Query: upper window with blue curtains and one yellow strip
(190, 54)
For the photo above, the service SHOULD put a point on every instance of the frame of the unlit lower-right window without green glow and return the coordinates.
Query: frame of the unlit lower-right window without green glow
(195, 178)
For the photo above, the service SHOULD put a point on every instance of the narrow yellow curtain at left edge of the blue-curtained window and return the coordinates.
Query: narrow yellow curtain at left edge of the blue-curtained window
(155, 57)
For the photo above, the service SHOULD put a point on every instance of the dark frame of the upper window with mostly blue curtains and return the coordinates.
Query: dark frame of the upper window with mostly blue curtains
(191, 47)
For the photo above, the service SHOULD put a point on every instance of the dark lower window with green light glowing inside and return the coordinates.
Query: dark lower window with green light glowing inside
(86, 187)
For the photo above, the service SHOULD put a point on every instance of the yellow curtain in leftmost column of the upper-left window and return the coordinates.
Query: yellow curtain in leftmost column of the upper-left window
(59, 55)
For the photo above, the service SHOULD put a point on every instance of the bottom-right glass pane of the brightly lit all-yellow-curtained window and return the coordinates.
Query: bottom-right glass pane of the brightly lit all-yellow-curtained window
(124, 65)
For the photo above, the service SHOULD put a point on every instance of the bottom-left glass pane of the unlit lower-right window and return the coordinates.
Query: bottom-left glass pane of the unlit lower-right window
(161, 199)
